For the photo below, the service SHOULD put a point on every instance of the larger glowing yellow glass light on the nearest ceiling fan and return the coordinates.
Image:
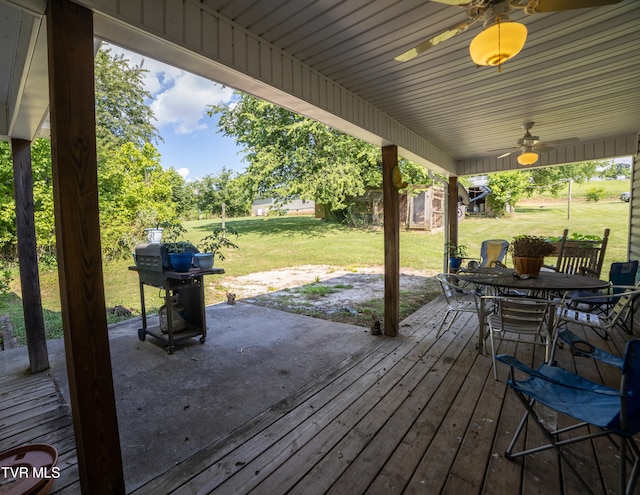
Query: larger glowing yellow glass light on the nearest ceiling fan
(501, 39)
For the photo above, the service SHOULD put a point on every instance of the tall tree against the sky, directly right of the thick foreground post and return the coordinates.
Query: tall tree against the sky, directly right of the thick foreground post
(122, 114)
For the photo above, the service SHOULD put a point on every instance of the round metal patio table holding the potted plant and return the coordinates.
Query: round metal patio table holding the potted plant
(545, 284)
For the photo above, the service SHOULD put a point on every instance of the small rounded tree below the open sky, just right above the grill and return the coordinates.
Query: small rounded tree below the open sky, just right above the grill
(227, 187)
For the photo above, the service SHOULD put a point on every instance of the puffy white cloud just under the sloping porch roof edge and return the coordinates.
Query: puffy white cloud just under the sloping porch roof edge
(180, 99)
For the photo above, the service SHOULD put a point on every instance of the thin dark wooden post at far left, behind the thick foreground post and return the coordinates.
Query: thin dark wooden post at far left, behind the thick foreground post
(28, 258)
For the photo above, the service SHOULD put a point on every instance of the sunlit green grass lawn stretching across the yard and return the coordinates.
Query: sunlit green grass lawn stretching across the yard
(278, 242)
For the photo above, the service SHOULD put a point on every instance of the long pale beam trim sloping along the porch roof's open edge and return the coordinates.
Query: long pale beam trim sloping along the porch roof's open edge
(216, 48)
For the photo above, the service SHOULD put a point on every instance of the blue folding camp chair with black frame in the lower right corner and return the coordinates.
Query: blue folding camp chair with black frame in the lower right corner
(613, 412)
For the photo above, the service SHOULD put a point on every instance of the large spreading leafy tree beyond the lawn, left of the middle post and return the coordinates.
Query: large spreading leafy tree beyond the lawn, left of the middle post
(290, 155)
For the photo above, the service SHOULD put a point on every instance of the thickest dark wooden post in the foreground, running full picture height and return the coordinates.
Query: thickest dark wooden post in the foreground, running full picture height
(75, 186)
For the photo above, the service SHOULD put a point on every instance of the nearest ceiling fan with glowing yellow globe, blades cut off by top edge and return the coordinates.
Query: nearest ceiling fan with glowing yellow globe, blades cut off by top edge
(501, 38)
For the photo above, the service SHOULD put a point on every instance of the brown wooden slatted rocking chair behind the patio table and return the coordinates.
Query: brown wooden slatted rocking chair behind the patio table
(581, 257)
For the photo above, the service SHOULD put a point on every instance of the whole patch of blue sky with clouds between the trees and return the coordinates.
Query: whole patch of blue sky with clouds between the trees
(192, 144)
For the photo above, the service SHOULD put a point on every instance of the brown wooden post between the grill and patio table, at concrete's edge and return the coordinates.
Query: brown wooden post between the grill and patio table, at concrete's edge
(391, 242)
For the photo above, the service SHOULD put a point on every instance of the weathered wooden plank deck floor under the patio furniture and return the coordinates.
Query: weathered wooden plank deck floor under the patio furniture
(409, 414)
